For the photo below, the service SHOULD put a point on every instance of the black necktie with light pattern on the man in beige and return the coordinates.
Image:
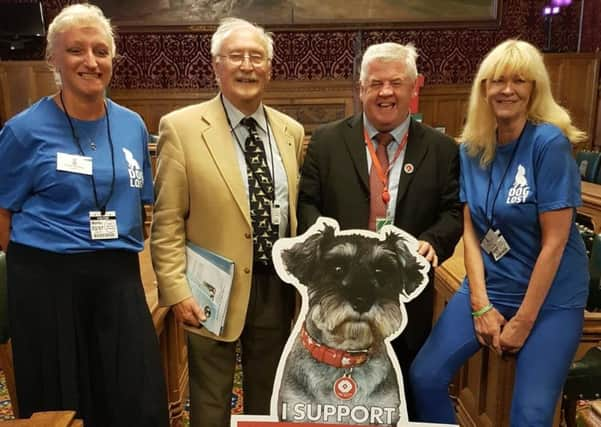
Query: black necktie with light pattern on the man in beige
(260, 193)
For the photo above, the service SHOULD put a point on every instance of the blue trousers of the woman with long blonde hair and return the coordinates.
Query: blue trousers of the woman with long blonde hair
(541, 365)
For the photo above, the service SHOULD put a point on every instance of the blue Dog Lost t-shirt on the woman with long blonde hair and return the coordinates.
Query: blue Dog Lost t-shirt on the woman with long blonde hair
(541, 177)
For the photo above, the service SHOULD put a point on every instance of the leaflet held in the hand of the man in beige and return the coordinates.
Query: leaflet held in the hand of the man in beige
(210, 277)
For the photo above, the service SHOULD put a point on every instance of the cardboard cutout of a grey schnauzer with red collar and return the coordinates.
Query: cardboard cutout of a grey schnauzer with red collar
(338, 366)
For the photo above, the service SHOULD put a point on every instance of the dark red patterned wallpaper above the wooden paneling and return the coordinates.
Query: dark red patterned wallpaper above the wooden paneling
(447, 56)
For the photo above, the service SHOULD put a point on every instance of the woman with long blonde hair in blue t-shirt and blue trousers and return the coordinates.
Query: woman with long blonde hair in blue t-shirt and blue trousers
(527, 276)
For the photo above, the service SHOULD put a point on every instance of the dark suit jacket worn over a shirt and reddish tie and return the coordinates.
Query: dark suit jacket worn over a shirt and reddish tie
(335, 183)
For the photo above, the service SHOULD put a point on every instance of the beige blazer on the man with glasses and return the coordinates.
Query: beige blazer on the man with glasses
(200, 196)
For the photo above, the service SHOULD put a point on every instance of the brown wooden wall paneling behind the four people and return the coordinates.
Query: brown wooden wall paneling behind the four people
(574, 81)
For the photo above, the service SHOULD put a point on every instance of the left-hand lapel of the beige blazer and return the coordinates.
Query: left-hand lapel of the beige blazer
(218, 139)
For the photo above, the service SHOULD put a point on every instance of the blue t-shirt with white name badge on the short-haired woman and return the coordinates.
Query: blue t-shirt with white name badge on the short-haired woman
(50, 208)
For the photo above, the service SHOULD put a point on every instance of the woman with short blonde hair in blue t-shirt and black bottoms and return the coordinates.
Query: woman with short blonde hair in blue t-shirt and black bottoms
(74, 178)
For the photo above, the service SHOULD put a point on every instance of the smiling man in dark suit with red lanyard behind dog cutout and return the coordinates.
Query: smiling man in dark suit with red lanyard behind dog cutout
(420, 182)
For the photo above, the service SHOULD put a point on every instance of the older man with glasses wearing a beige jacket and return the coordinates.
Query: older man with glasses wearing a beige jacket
(226, 180)
